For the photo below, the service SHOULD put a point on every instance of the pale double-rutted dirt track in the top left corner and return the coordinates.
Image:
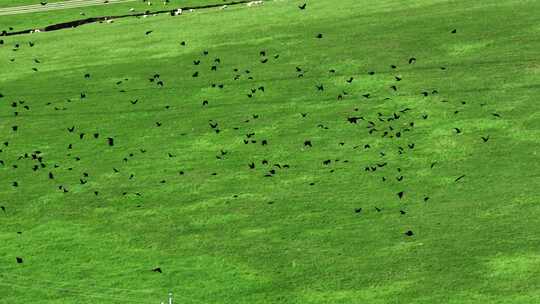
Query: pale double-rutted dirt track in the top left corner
(56, 6)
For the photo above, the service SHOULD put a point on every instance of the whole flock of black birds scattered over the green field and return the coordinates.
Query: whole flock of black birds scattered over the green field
(394, 126)
